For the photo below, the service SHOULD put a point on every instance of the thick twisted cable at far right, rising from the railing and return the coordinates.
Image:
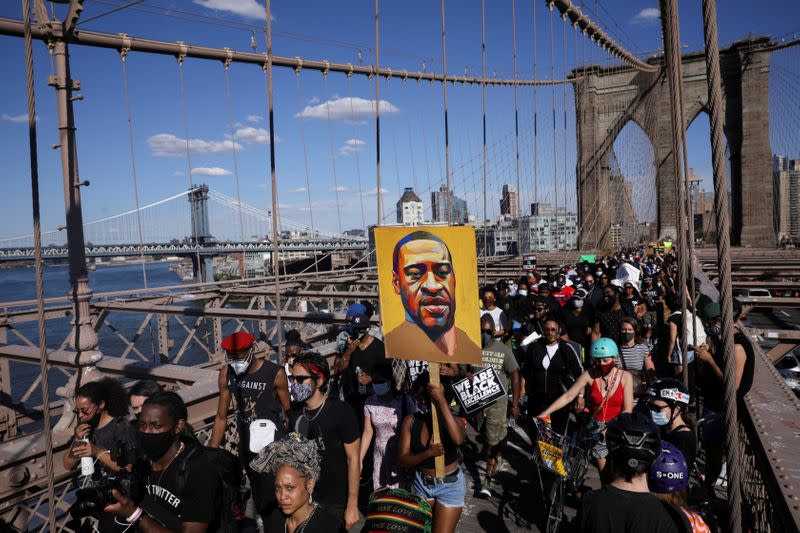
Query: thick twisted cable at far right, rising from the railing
(723, 259)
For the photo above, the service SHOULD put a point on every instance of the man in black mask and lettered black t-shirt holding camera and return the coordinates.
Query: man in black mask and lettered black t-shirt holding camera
(174, 500)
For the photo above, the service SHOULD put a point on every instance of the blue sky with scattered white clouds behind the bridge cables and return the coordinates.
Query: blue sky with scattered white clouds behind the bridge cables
(412, 126)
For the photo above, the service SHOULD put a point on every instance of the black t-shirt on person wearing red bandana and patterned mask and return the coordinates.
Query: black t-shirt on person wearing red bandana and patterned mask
(332, 425)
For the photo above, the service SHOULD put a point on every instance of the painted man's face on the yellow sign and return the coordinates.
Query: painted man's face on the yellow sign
(425, 280)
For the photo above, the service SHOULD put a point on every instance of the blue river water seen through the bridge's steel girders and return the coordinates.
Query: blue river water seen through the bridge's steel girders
(20, 284)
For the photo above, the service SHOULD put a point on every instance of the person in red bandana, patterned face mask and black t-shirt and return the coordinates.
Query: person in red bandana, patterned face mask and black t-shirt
(333, 425)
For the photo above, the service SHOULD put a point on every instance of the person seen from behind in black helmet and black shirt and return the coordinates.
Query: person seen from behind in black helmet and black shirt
(626, 503)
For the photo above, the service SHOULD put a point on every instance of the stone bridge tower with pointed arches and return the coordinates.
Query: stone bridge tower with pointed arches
(607, 98)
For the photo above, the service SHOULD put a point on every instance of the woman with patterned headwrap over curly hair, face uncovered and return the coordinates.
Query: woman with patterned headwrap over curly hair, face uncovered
(296, 463)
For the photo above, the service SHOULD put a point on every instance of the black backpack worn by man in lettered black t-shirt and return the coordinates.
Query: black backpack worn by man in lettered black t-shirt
(232, 493)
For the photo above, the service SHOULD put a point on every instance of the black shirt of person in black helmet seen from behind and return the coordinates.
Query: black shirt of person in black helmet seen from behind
(613, 510)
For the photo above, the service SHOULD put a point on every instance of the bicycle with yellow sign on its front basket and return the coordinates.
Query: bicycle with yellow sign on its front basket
(563, 457)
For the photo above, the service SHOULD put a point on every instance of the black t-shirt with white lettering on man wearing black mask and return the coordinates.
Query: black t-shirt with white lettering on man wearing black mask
(197, 501)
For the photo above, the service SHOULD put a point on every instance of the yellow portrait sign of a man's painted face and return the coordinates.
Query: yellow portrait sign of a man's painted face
(428, 290)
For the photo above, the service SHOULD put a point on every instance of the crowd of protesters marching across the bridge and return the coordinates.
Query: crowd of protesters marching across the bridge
(593, 349)
